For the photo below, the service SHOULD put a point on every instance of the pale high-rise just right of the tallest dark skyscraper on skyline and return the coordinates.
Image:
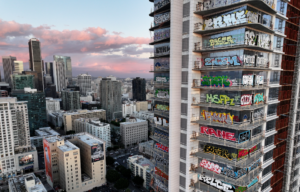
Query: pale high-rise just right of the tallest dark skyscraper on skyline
(62, 69)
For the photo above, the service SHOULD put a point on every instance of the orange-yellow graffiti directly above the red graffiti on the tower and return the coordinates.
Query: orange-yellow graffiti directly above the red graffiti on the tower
(218, 117)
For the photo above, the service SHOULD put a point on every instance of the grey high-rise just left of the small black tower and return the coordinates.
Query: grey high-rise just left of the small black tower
(111, 97)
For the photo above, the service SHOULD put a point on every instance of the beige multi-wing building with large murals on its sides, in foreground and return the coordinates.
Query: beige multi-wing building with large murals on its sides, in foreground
(76, 162)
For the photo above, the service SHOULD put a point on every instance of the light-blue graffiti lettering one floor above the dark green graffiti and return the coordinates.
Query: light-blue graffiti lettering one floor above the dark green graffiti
(234, 60)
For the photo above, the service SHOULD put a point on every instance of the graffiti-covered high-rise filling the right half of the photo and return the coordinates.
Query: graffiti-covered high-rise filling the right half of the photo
(225, 71)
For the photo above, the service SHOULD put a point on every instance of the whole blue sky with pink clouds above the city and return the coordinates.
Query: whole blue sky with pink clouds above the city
(103, 37)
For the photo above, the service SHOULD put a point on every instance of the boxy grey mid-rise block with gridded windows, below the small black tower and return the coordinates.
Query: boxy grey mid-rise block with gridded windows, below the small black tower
(133, 131)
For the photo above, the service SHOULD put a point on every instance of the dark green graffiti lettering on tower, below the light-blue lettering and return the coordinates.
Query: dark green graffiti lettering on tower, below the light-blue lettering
(218, 81)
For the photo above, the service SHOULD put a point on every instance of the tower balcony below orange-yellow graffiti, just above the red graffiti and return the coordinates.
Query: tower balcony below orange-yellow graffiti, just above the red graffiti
(235, 125)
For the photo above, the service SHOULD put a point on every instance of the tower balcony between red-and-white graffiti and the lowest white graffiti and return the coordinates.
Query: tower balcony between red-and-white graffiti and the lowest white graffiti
(241, 181)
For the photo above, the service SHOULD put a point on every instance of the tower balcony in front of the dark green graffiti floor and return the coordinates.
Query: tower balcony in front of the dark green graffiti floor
(234, 85)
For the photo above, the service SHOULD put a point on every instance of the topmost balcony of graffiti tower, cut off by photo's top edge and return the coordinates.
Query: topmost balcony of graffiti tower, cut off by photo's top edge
(228, 4)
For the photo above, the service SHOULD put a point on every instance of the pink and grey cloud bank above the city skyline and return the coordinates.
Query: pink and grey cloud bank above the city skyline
(94, 49)
